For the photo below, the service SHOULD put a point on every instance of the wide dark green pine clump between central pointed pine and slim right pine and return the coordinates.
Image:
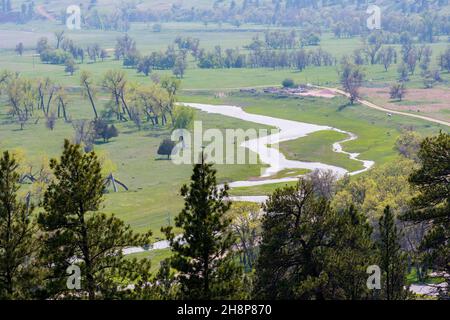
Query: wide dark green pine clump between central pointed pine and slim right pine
(309, 251)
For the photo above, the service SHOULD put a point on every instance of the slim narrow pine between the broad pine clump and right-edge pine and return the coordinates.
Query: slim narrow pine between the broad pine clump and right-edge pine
(392, 258)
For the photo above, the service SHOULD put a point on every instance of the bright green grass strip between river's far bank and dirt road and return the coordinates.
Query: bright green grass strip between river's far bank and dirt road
(376, 132)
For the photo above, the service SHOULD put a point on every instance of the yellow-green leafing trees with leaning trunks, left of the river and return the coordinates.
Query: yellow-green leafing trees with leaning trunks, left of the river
(129, 102)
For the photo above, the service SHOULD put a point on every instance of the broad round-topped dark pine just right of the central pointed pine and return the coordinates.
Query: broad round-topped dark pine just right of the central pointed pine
(291, 258)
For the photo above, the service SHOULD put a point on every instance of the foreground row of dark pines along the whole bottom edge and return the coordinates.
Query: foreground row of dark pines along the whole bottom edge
(309, 248)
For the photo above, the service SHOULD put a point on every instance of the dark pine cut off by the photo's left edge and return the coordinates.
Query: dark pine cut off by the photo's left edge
(16, 235)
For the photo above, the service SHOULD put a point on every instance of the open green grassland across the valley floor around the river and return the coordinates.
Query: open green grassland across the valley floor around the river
(154, 184)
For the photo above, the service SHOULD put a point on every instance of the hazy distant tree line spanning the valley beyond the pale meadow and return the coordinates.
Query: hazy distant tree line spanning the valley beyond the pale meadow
(262, 54)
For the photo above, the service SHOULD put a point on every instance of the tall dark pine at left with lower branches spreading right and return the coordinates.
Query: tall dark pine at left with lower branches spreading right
(74, 232)
